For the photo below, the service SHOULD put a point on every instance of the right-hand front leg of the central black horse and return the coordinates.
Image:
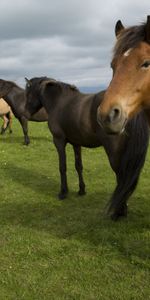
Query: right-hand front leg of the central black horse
(79, 168)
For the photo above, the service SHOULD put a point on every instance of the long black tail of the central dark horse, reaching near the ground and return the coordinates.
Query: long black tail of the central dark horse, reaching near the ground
(132, 161)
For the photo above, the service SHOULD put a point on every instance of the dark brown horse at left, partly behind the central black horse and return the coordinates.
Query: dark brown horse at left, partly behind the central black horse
(15, 97)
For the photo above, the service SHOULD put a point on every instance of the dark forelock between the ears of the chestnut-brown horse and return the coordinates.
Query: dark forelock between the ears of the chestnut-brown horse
(129, 38)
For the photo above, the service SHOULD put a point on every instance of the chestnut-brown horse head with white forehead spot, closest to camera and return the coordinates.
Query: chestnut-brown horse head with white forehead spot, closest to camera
(129, 89)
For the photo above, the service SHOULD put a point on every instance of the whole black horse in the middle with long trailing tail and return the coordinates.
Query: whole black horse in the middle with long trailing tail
(72, 118)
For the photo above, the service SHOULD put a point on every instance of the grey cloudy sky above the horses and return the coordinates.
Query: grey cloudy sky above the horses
(69, 40)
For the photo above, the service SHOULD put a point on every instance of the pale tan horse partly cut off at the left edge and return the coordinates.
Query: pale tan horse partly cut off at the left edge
(6, 115)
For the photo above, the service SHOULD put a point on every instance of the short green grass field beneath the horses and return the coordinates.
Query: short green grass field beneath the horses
(51, 249)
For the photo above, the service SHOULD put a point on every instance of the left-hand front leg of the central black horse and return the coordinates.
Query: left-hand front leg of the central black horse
(60, 146)
